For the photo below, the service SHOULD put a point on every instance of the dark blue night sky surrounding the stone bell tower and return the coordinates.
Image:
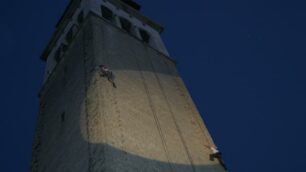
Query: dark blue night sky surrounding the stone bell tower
(243, 62)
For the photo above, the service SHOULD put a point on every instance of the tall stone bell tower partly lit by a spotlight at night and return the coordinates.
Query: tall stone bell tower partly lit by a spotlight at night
(148, 123)
